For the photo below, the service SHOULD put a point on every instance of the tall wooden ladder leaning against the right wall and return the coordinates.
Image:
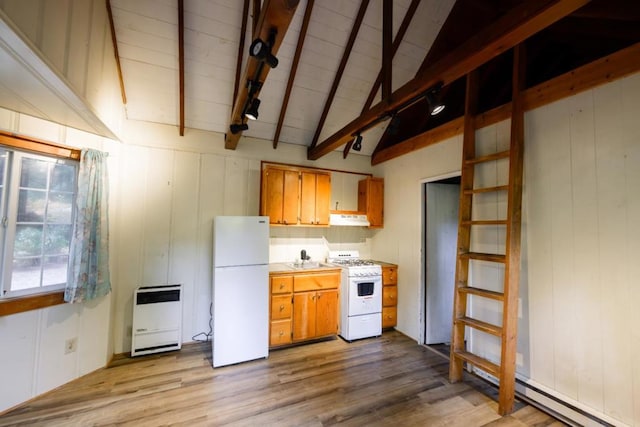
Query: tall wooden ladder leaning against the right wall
(504, 371)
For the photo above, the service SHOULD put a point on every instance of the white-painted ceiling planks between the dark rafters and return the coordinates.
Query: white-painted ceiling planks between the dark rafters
(147, 34)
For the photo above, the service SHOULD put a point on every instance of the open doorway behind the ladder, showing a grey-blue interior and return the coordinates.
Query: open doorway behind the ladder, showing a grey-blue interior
(441, 200)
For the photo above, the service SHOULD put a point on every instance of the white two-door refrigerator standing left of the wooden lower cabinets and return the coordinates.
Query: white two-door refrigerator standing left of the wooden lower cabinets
(240, 289)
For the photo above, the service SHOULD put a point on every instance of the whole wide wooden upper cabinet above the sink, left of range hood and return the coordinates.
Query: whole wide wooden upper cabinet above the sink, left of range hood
(295, 196)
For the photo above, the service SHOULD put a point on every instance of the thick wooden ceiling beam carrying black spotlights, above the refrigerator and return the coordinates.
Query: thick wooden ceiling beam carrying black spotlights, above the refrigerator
(275, 16)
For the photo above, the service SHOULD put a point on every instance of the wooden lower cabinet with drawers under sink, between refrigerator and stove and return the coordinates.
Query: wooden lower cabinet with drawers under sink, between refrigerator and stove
(304, 306)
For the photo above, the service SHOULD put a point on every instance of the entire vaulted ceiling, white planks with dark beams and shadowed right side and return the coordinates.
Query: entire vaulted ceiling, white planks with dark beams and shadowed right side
(350, 67)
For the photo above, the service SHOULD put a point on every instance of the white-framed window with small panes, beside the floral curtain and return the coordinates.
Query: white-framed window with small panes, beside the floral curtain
(37, 196)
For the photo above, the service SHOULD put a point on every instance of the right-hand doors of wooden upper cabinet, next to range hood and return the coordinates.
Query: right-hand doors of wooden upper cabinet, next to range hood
(315, 197)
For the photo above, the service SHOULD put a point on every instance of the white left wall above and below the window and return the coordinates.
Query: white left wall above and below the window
(33, 359)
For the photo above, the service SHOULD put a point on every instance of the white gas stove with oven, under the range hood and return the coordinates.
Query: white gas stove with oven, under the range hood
(360, 295)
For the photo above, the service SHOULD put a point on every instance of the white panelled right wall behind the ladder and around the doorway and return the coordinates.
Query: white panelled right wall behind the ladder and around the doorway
(578, 336)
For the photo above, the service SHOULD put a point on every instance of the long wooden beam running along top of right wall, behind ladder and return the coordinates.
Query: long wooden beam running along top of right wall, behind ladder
(604, 70)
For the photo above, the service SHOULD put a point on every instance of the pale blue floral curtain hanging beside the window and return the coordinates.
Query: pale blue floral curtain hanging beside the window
(88, 271)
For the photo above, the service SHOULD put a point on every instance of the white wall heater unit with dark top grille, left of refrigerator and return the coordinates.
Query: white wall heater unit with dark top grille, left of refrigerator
(157, 319)
